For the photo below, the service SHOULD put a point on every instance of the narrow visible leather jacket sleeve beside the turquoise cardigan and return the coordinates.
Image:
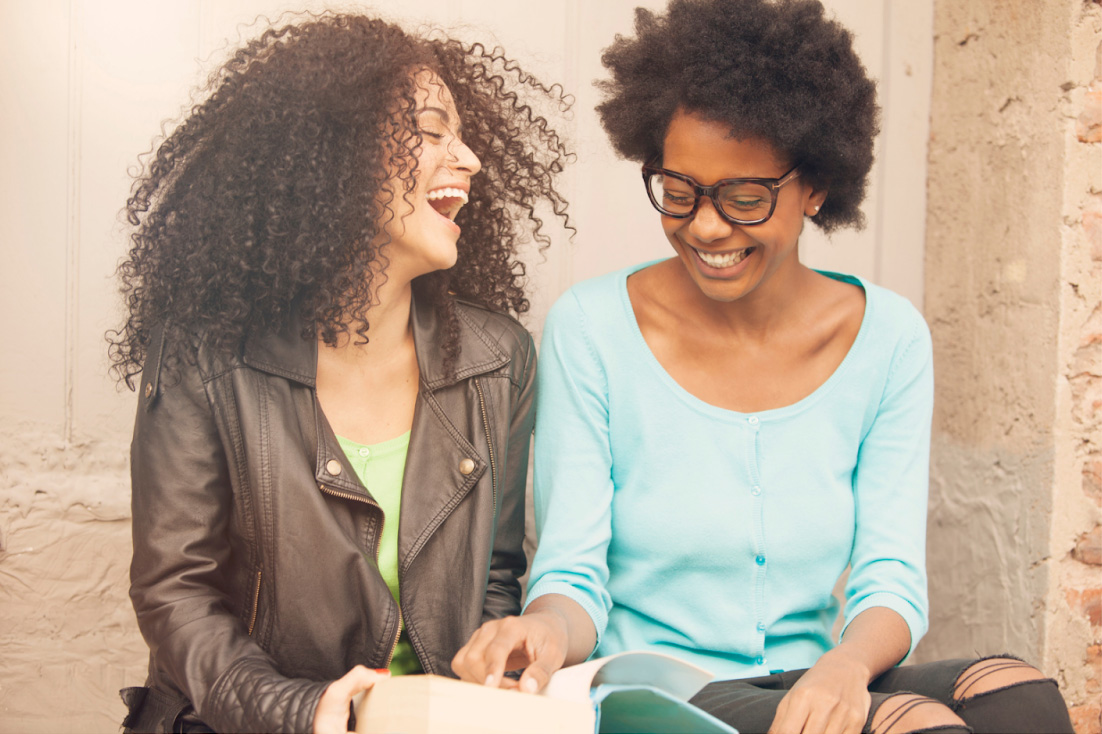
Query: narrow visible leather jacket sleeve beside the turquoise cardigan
(507, 558)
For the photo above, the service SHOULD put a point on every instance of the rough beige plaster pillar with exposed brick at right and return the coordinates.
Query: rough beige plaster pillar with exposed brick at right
(1012, 297)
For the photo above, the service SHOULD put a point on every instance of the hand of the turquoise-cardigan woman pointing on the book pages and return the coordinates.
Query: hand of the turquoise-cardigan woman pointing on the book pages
(536, 641)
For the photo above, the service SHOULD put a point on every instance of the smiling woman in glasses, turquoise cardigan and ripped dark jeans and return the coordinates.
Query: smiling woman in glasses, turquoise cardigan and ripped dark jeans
(723, 433)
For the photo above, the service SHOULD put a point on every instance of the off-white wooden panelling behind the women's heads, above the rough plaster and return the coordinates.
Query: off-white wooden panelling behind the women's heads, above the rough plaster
(88, 84)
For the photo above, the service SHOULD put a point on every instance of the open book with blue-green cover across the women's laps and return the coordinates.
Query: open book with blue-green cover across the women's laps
(640, 693)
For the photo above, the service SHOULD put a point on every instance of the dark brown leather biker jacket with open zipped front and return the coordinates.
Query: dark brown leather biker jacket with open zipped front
(254, 573)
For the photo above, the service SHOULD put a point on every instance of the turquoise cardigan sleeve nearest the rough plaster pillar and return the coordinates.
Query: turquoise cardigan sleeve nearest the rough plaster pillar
(891, 485)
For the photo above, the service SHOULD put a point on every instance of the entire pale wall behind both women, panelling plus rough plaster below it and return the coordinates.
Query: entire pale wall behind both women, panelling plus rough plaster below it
(84, 87)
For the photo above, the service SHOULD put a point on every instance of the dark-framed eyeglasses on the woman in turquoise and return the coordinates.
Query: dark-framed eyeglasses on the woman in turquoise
(739, 201)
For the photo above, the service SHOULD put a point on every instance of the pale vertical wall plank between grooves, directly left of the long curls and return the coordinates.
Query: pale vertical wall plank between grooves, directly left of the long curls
(135, 63)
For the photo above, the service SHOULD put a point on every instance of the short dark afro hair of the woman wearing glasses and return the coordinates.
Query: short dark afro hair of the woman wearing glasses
(774, 70)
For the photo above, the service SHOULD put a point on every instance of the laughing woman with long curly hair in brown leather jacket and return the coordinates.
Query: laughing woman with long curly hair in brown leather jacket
(332, 440)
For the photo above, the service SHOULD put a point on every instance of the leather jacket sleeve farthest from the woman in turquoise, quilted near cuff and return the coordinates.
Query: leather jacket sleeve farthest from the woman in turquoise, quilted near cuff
(182, 505)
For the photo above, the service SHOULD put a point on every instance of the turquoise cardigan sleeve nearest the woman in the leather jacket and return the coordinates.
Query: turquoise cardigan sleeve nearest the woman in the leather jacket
(574, 485)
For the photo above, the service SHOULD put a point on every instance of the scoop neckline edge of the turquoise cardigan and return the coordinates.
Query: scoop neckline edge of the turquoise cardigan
(772, 414)
